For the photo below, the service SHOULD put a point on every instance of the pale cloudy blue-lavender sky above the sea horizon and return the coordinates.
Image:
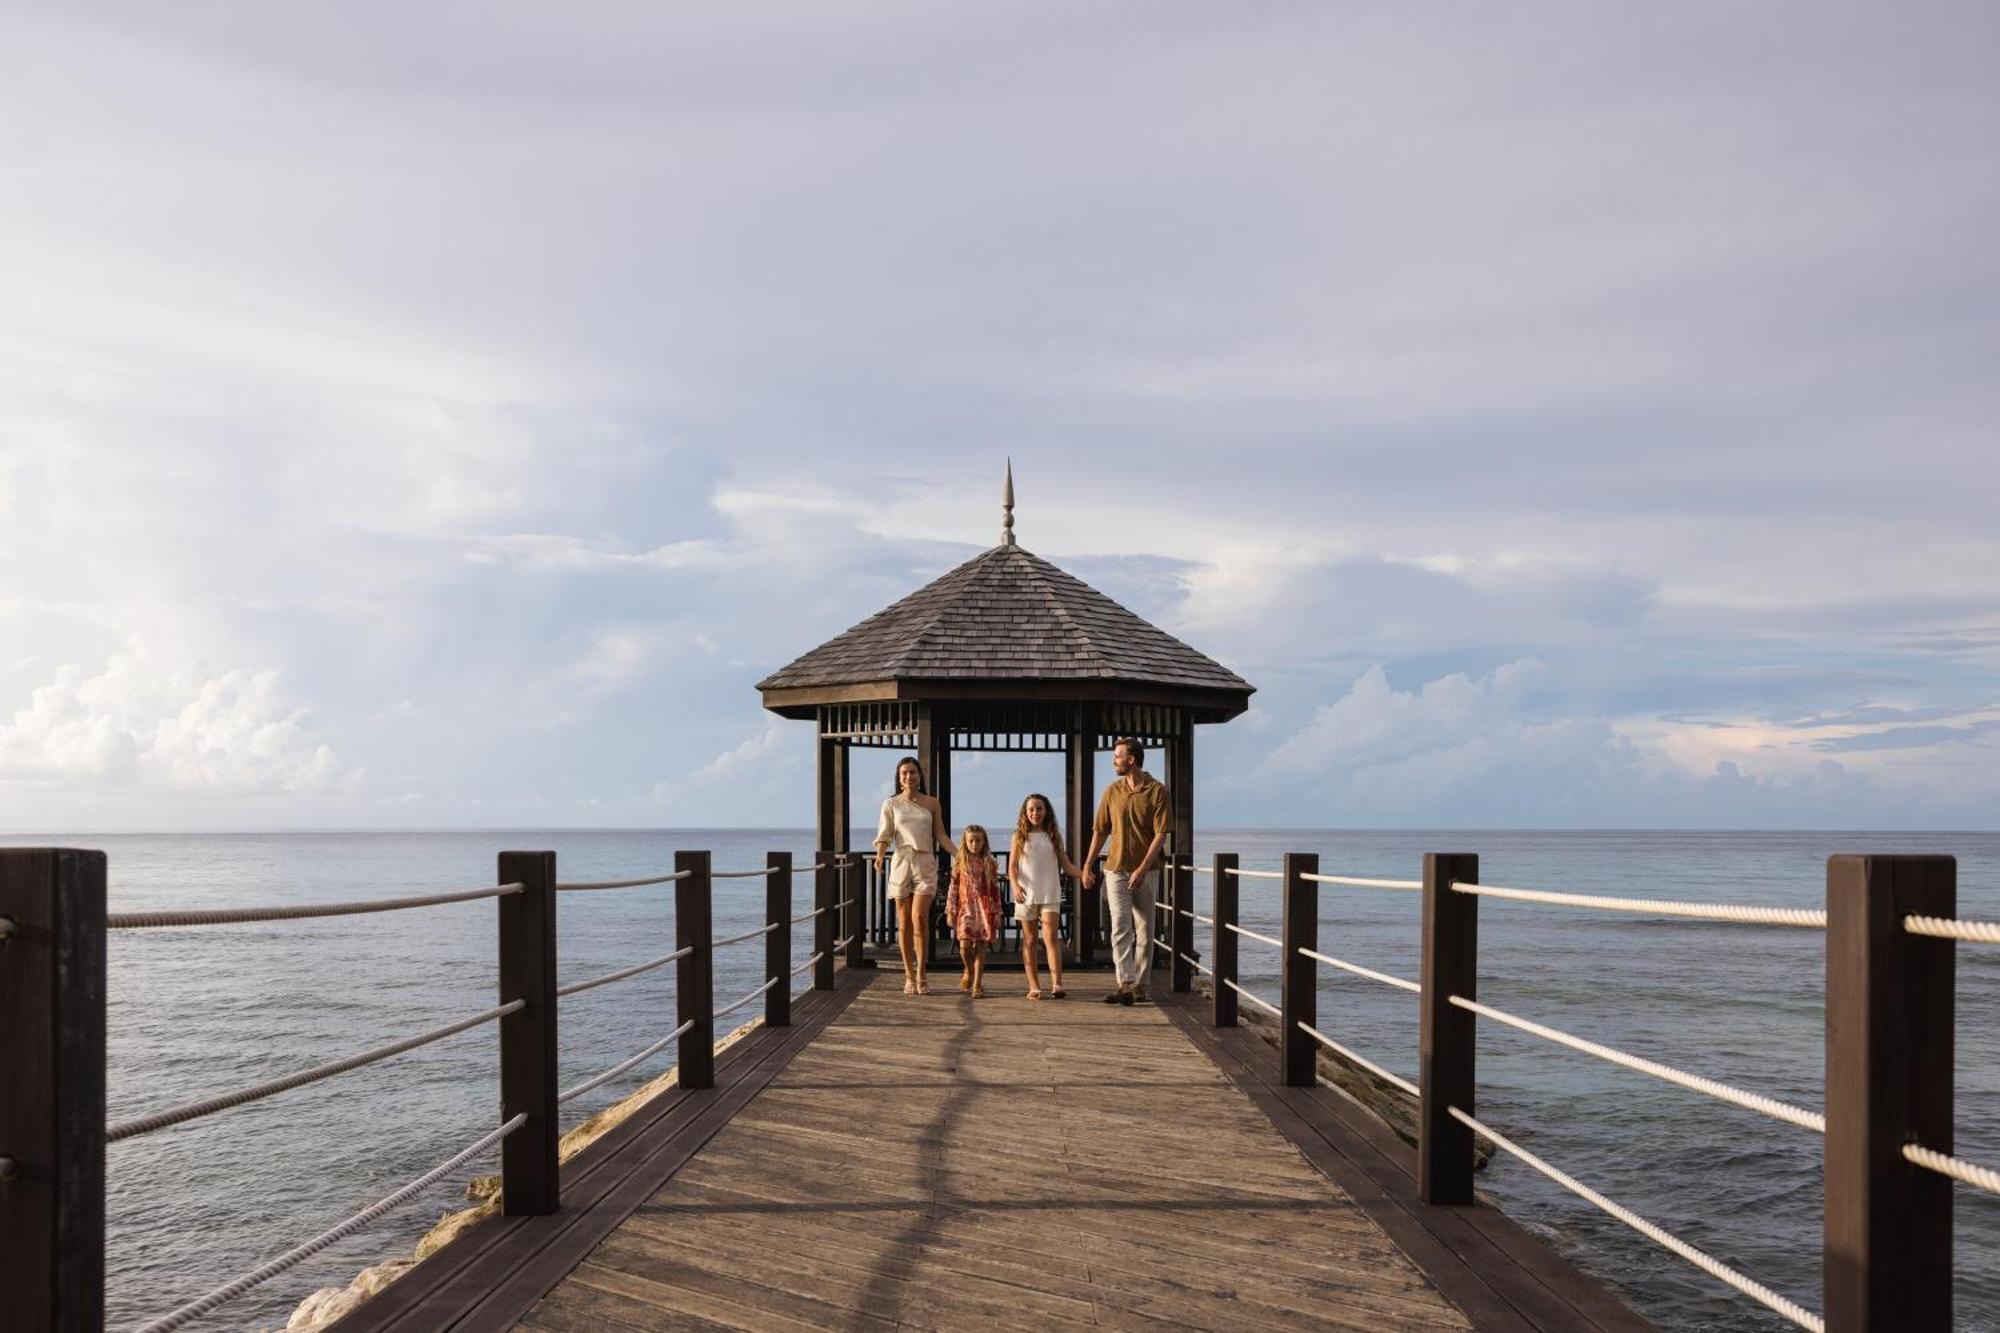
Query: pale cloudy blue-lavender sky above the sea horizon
(443, 415)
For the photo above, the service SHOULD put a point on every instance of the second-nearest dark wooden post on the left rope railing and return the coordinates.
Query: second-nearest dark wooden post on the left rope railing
(531, 1182)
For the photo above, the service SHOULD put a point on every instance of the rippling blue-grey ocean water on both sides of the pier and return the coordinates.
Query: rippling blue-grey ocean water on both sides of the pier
(199, 1012)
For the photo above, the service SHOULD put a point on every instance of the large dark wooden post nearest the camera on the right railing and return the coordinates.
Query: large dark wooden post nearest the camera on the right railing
(1889, 1082)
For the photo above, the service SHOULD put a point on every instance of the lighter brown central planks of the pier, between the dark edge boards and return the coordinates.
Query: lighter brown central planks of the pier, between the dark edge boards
(935, 1162)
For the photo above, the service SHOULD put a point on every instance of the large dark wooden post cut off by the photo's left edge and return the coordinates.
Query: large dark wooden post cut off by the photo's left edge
(53, 1102)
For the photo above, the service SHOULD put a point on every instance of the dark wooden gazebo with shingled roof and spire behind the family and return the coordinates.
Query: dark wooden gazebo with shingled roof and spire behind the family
(1007, 653)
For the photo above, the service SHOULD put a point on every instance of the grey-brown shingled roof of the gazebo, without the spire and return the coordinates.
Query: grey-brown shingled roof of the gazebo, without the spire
(1009, 617)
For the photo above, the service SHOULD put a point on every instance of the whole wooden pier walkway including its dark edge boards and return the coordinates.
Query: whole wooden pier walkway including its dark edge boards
(943, 1164)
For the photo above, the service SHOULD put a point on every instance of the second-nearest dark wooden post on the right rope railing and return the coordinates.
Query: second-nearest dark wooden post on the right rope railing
(1449, 1034)
